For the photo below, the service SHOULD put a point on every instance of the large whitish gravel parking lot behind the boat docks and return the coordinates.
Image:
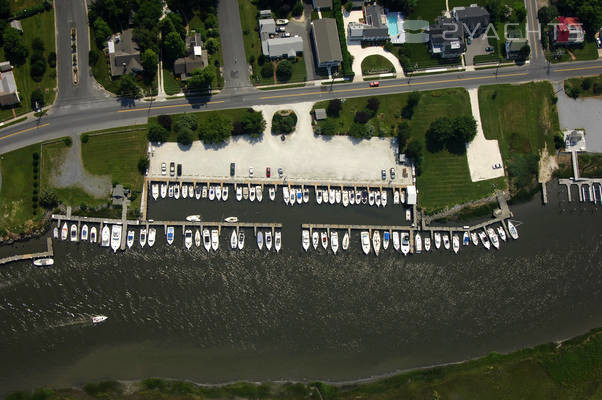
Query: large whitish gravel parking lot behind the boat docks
(302, 155)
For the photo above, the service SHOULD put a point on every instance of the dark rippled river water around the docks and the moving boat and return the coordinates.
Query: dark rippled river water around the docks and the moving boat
(251, 315)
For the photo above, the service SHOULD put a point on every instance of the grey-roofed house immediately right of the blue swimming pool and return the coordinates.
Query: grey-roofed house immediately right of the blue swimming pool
(446, 38)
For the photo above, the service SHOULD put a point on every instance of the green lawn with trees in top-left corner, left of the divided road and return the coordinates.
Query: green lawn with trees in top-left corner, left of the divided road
(42, 26)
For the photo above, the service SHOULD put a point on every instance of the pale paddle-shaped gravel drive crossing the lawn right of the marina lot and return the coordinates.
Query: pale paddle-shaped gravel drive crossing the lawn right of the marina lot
(482, 154)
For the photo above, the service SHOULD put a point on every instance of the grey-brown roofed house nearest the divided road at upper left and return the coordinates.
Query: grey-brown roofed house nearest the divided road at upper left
(124, 54)
